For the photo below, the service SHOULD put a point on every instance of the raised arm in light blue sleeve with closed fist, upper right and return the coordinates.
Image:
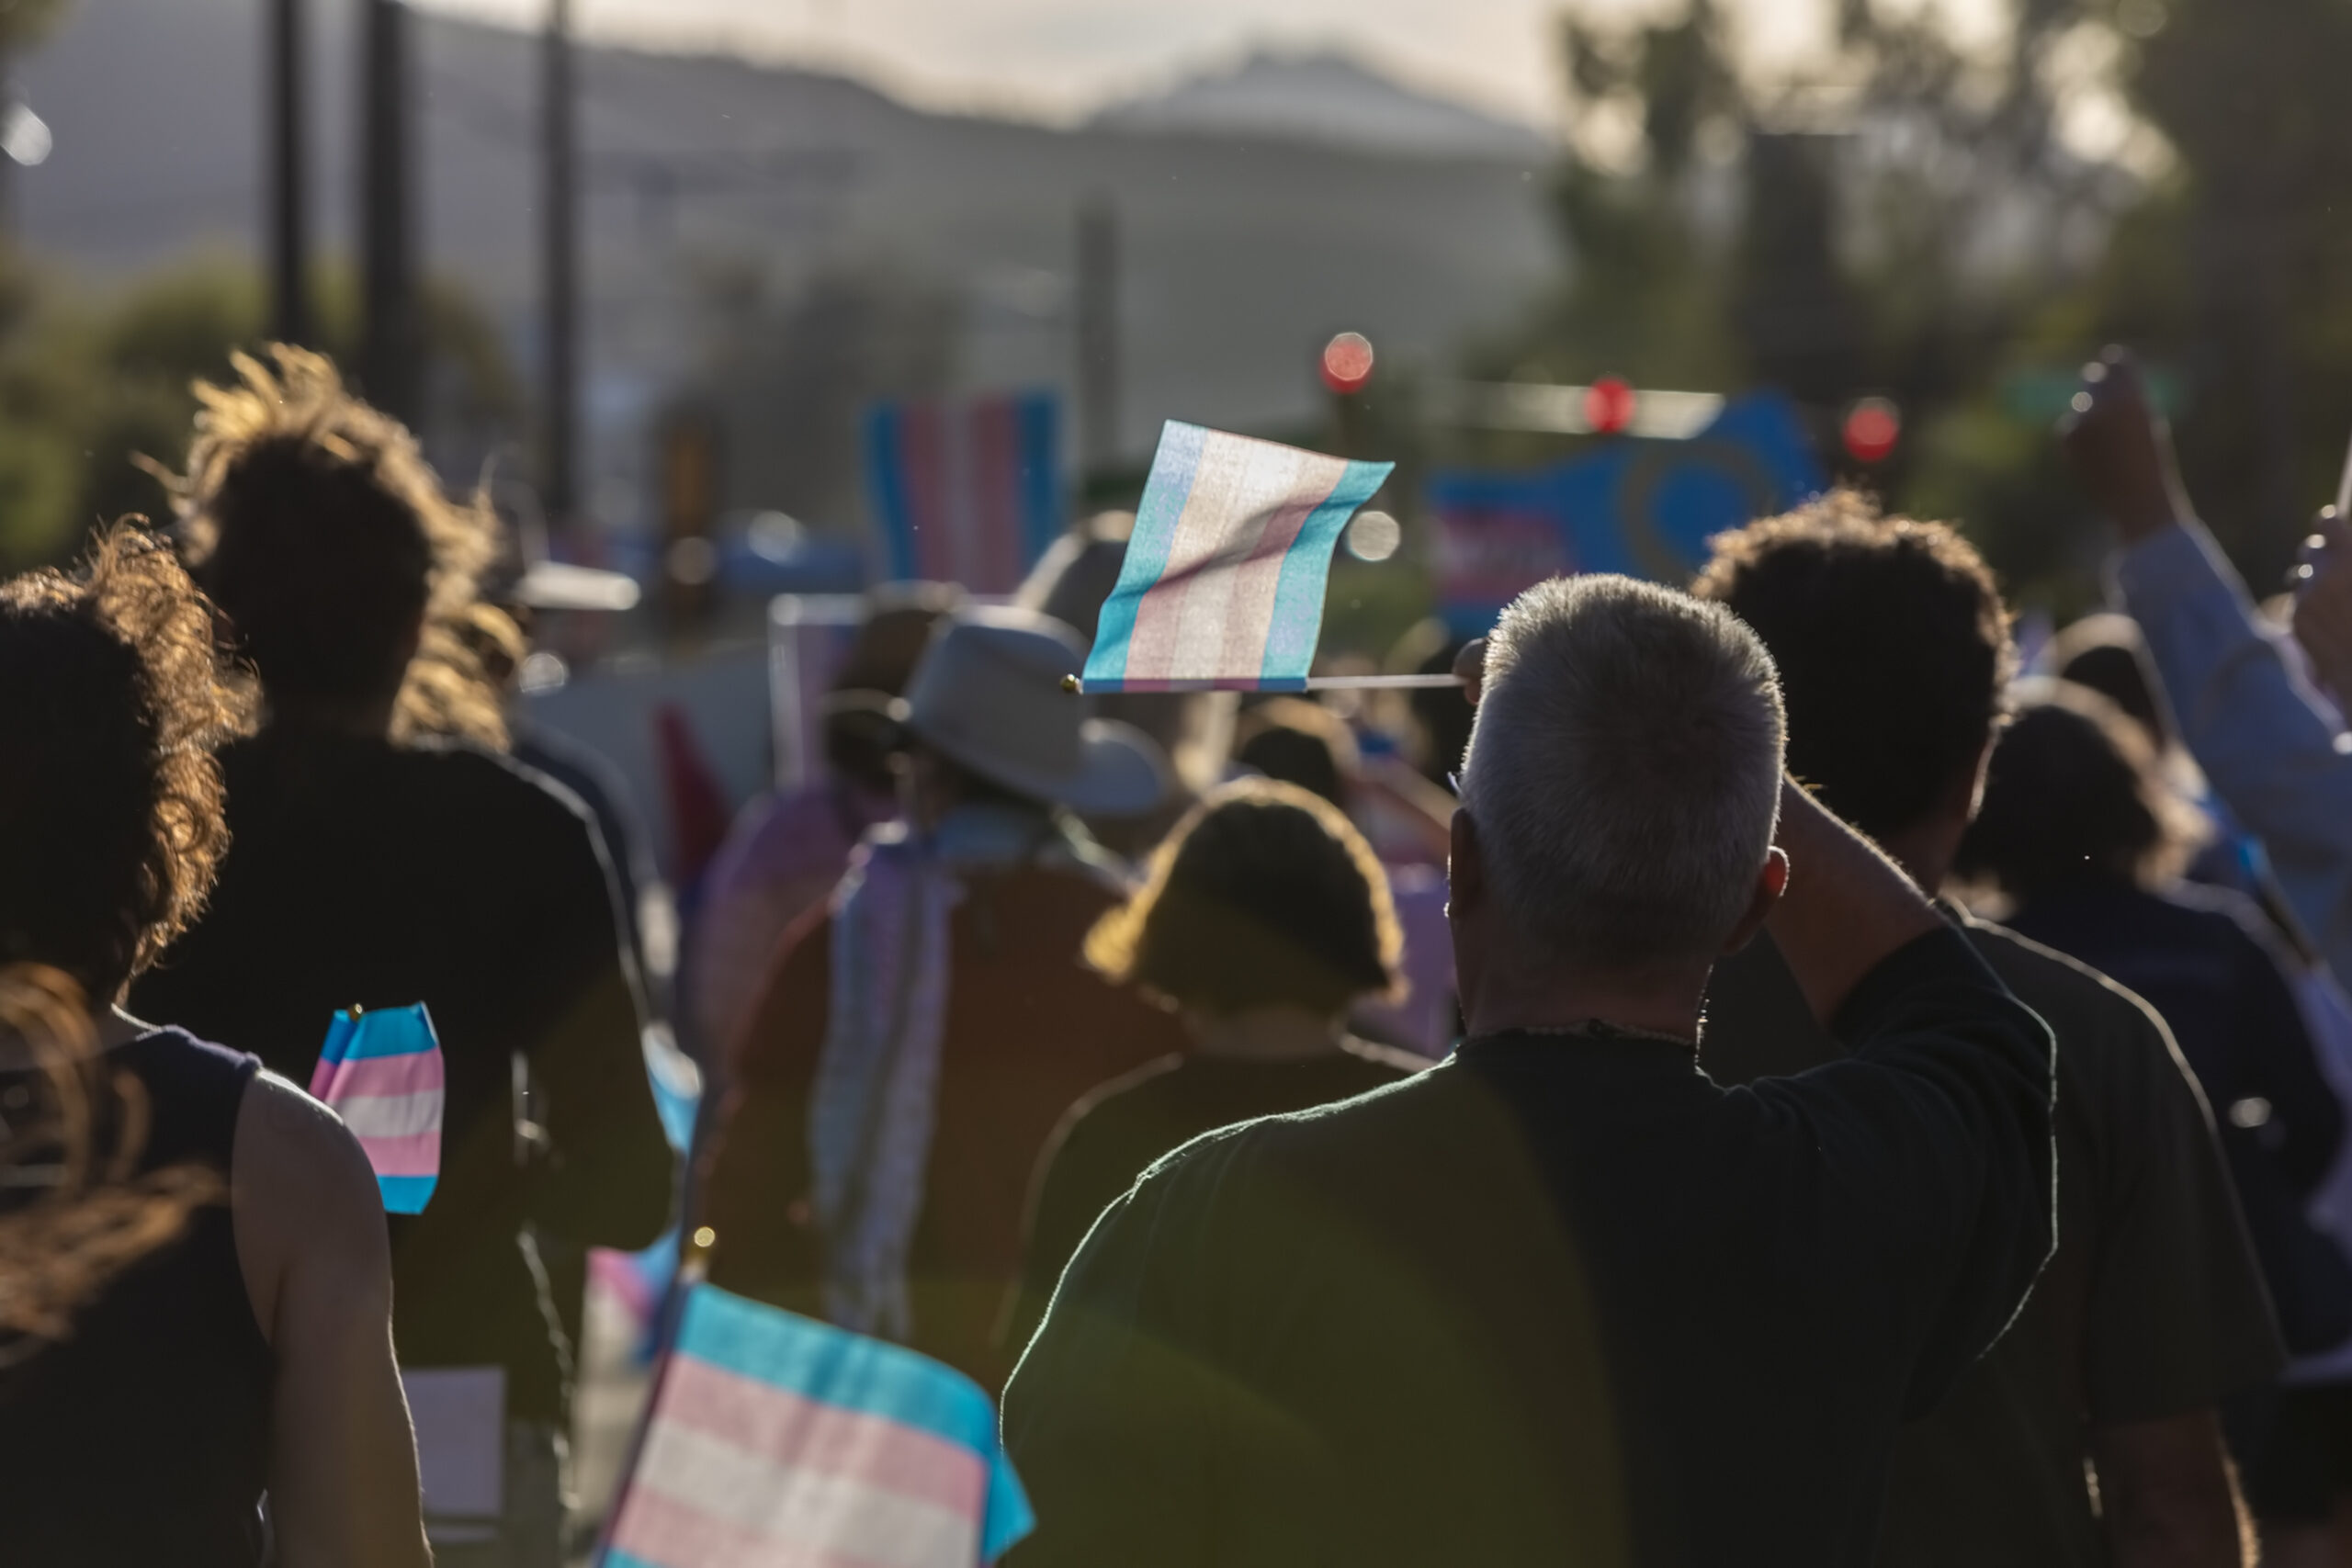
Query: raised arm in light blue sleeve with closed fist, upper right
(2266, 742)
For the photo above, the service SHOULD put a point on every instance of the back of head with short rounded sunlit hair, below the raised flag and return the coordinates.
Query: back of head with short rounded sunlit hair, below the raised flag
(1264, 897)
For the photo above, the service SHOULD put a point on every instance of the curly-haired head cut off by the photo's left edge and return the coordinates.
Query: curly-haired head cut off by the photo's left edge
(112, 702)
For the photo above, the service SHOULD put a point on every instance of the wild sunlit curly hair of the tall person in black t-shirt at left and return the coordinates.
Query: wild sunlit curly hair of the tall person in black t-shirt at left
(323, 535)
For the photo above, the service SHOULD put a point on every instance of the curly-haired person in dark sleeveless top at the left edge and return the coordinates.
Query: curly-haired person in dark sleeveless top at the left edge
(180, 1358)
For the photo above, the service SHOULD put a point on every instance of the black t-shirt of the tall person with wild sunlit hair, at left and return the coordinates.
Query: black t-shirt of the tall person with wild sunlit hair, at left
(375, 876)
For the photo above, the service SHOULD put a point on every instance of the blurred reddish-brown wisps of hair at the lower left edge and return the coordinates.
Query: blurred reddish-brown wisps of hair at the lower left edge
(76, 1153)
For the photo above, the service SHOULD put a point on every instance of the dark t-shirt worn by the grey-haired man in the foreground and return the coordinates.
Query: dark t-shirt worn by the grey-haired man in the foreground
(1556, 1301)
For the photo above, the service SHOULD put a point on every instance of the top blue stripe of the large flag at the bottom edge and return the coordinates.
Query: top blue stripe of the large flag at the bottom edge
(836, 1367)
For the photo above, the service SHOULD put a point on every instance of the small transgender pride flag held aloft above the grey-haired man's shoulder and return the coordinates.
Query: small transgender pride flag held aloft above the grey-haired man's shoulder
(1224, 577)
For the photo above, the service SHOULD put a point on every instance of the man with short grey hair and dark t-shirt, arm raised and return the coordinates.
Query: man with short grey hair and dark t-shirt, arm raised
(1563, 1299)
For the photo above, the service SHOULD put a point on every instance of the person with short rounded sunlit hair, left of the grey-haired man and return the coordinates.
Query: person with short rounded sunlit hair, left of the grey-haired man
(1264, 920)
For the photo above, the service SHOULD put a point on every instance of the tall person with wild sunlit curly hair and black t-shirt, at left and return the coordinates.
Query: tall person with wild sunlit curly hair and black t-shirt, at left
(380, 862)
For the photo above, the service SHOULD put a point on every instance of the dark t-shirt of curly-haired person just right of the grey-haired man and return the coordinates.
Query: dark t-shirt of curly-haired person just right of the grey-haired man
(2149, 1308)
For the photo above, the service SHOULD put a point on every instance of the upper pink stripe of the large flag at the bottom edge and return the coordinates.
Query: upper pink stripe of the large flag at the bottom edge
(810, 1435)
